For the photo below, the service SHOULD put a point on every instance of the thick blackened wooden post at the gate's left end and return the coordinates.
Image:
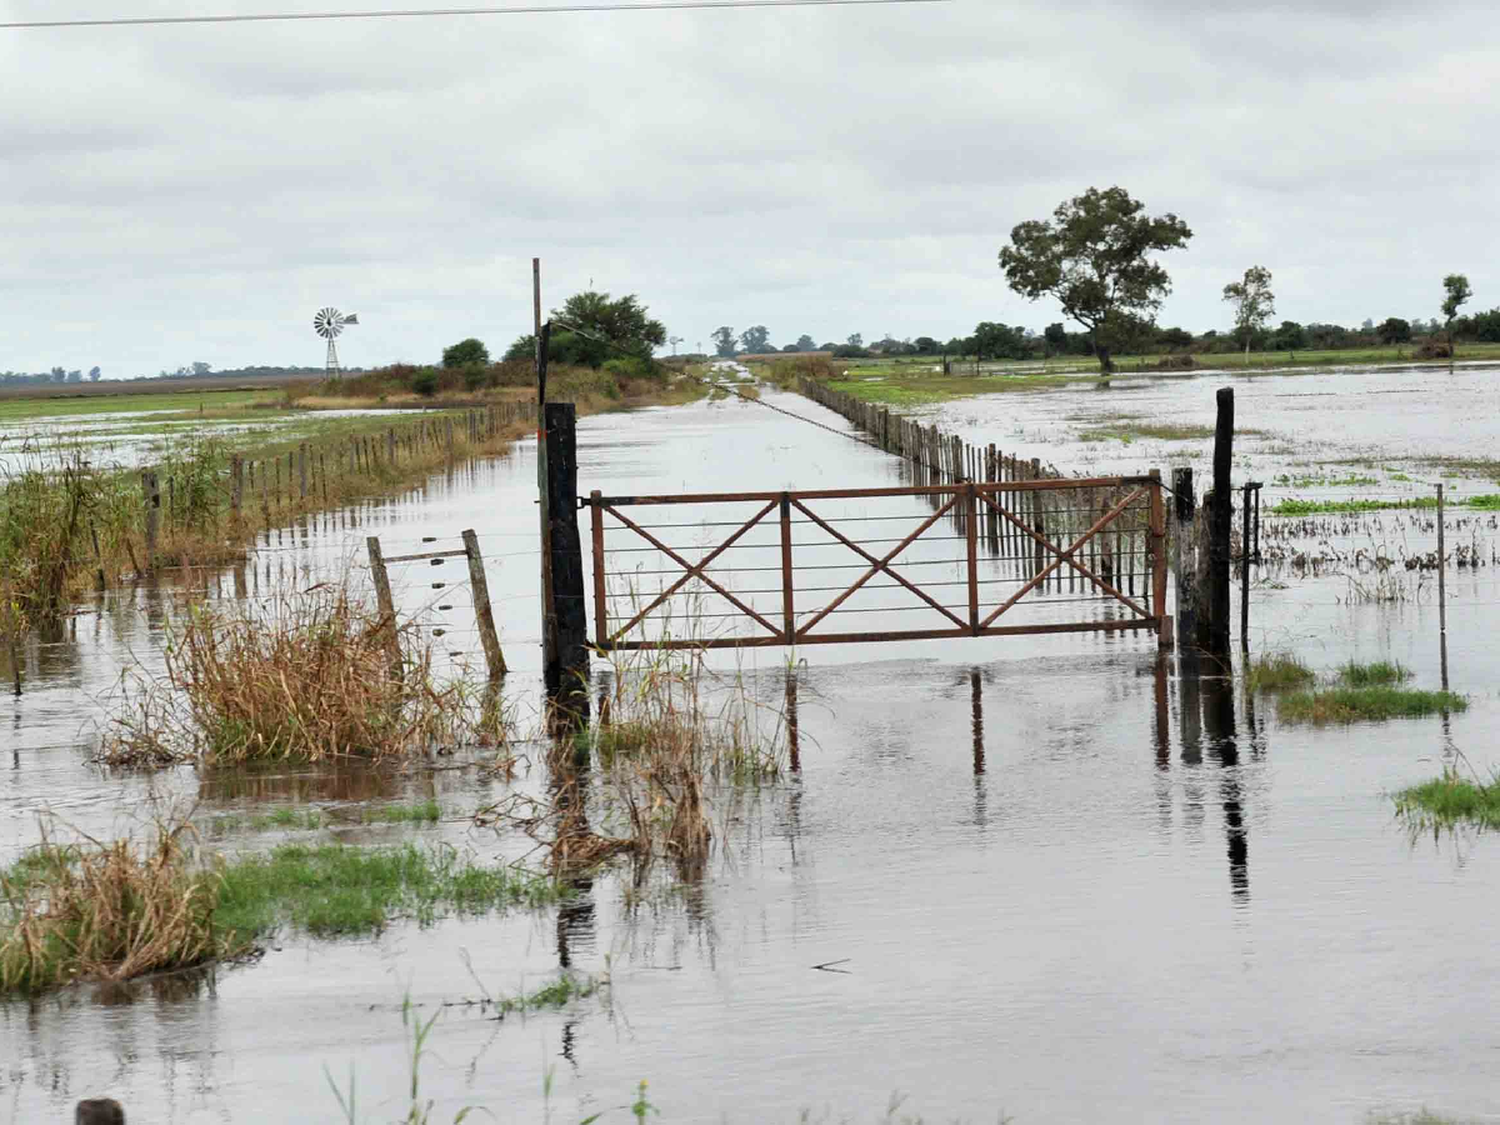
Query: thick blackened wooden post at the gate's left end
(569, 665)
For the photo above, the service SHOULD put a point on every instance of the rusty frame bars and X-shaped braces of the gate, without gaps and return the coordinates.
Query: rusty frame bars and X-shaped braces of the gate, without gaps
(968, 499)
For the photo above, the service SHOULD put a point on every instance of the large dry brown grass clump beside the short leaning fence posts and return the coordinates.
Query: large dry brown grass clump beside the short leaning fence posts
(311, 677)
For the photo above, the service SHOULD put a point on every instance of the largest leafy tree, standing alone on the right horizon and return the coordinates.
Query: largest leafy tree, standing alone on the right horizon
(1094, 259)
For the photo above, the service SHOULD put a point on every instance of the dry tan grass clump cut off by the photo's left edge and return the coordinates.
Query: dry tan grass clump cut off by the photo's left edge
(106, 911)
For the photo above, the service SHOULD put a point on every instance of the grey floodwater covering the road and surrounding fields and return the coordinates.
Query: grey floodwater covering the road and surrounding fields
(1045, 877)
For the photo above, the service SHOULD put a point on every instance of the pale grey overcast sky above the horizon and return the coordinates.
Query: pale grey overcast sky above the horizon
(178, 194)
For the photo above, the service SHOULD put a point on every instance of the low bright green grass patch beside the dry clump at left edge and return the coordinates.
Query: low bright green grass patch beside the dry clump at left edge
(334, 890)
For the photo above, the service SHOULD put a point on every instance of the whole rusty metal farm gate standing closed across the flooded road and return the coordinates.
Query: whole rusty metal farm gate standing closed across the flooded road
(851, 566)
